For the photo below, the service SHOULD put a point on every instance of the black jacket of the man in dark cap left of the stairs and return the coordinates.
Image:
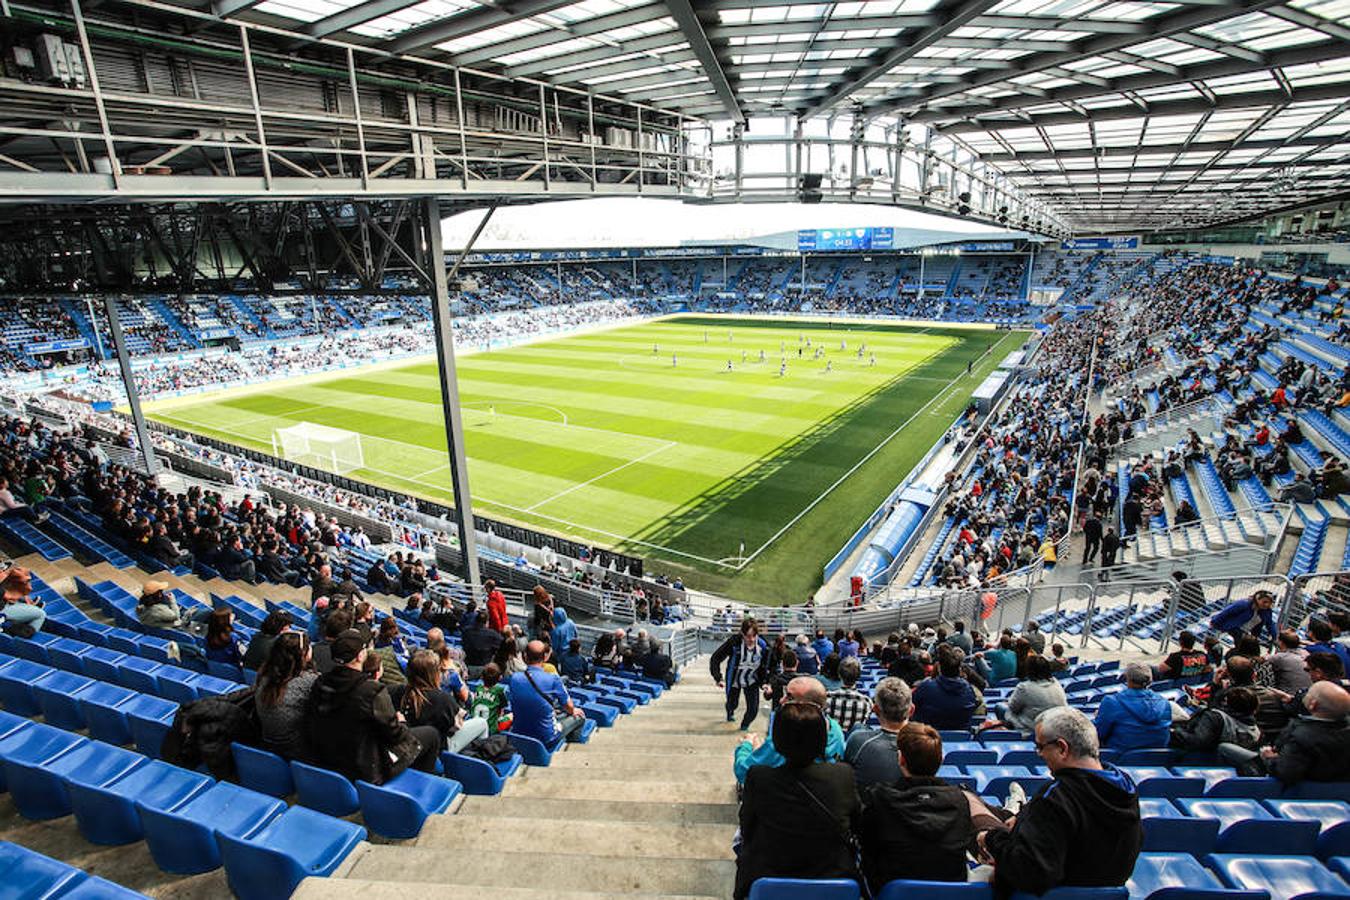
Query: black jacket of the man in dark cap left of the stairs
(353, 728)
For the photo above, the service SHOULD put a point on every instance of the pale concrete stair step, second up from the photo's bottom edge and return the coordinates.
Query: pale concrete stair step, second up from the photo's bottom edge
(561, 872)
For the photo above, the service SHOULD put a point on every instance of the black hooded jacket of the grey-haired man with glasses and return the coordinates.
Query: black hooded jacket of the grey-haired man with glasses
(1083, 831)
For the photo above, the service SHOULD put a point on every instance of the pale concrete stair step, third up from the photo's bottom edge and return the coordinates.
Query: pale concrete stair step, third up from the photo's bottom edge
(622, 840)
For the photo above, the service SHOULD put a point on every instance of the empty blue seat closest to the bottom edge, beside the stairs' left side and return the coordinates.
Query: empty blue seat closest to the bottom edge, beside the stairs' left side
(299, 844)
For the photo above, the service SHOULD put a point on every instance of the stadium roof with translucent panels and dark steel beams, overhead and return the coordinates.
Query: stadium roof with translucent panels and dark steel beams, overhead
(1118, 114)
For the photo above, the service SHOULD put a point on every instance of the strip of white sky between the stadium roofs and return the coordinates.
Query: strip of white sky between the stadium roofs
(639, 222)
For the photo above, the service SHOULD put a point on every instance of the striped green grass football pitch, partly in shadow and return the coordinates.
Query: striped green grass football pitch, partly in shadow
(601, 438)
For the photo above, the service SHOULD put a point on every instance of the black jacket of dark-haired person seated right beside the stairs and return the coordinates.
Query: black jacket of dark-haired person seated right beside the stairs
(788, 835)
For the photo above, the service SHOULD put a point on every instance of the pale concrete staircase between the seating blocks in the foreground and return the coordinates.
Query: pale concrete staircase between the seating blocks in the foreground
(647, 809)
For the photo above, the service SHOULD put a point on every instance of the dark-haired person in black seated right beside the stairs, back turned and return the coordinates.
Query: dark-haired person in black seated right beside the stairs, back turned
(784, 833)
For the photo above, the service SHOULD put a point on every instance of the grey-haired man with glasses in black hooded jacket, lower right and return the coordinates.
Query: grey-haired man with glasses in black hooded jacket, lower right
(1081, 831)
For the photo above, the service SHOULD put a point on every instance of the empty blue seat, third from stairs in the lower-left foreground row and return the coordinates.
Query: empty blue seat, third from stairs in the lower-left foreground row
(107, 813)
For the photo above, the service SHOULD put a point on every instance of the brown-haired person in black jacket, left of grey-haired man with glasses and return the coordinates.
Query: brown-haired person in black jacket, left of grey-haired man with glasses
(915, 826)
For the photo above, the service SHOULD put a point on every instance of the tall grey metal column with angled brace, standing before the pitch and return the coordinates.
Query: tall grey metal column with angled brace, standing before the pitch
(449, 381)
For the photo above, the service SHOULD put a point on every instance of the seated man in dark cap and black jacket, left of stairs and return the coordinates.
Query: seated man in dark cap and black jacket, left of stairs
(353, 727)
